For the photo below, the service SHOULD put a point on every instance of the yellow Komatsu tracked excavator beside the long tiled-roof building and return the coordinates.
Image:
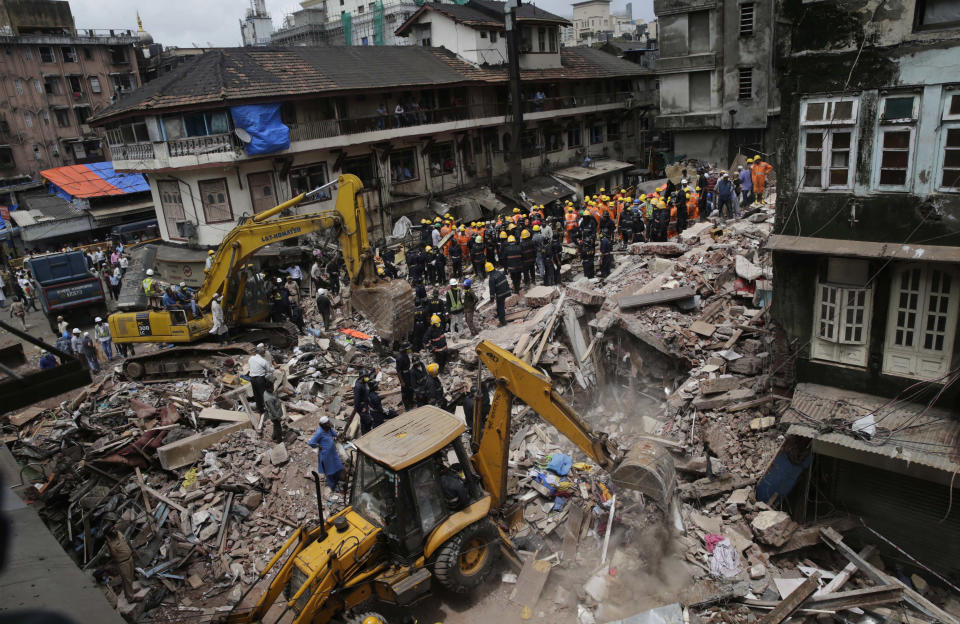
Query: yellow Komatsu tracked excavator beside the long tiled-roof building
(388, 304)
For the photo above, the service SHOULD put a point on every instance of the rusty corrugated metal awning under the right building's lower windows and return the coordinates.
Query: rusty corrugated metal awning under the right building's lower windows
(906, 431)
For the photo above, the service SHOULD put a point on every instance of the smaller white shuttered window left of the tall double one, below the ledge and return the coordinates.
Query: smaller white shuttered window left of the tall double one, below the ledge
(841, 346)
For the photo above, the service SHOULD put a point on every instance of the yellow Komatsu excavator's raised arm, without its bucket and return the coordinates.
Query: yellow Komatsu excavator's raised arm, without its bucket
(246, 238)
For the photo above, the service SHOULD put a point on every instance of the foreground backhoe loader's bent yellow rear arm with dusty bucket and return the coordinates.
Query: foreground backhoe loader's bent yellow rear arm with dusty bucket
(647, 467)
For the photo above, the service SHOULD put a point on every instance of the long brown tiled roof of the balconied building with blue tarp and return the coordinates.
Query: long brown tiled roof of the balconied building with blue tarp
(240, 75)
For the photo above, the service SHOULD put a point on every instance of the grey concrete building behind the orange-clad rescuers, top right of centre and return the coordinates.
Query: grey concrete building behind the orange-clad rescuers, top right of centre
(718, 91)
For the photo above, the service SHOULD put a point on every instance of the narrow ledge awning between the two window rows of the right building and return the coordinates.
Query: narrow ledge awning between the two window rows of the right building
(863, 249)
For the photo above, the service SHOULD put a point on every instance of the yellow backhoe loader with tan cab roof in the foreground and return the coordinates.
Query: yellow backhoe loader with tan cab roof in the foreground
(400, 531)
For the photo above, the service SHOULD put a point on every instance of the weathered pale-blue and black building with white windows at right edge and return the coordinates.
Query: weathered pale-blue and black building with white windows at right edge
(866, 248)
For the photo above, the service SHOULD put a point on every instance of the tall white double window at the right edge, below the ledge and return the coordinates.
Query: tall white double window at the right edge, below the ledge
(916, 361)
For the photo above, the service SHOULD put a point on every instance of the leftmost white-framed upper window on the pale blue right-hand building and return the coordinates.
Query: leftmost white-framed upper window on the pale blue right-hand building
(828, 125)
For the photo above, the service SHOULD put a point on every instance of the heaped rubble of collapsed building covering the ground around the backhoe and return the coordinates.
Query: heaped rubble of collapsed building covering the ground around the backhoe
(675, 346)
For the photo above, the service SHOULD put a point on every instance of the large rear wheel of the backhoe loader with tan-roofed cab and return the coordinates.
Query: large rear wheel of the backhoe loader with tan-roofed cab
(468, 558)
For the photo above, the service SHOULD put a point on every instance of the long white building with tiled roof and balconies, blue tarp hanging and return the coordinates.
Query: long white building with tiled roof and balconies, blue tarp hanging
(340, 104)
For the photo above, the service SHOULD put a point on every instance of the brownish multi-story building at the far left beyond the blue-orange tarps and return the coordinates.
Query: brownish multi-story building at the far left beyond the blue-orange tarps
(54, 77)
